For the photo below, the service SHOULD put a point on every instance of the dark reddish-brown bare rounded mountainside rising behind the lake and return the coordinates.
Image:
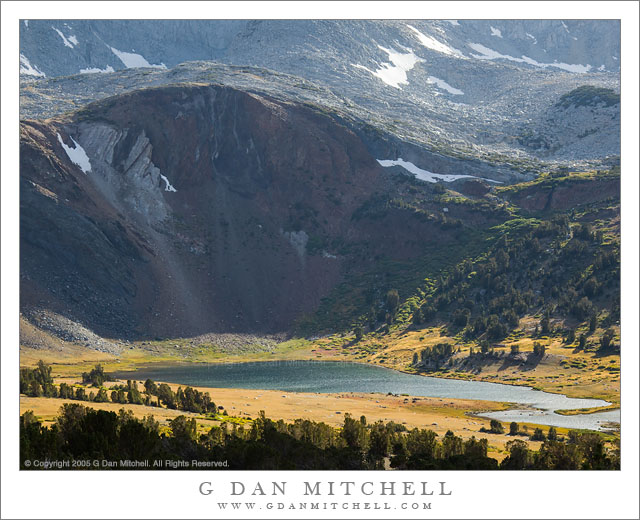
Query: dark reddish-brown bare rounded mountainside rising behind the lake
(184, 210)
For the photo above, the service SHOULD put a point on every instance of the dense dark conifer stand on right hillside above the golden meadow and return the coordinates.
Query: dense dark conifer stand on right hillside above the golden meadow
(559, 268)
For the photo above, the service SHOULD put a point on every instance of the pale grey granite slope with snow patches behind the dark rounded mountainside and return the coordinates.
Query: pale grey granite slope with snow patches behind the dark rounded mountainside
(456, 87)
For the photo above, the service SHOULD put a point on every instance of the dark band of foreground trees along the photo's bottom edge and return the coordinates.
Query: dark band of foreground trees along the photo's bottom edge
(81, 433)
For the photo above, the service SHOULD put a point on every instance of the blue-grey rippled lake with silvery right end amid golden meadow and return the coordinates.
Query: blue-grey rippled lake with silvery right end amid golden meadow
(340, 377)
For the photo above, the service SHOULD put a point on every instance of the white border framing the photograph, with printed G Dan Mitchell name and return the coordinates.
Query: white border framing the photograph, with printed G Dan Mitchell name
(172, 495)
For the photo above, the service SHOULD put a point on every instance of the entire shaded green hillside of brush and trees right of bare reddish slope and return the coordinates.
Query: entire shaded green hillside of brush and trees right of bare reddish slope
(498, 266)
